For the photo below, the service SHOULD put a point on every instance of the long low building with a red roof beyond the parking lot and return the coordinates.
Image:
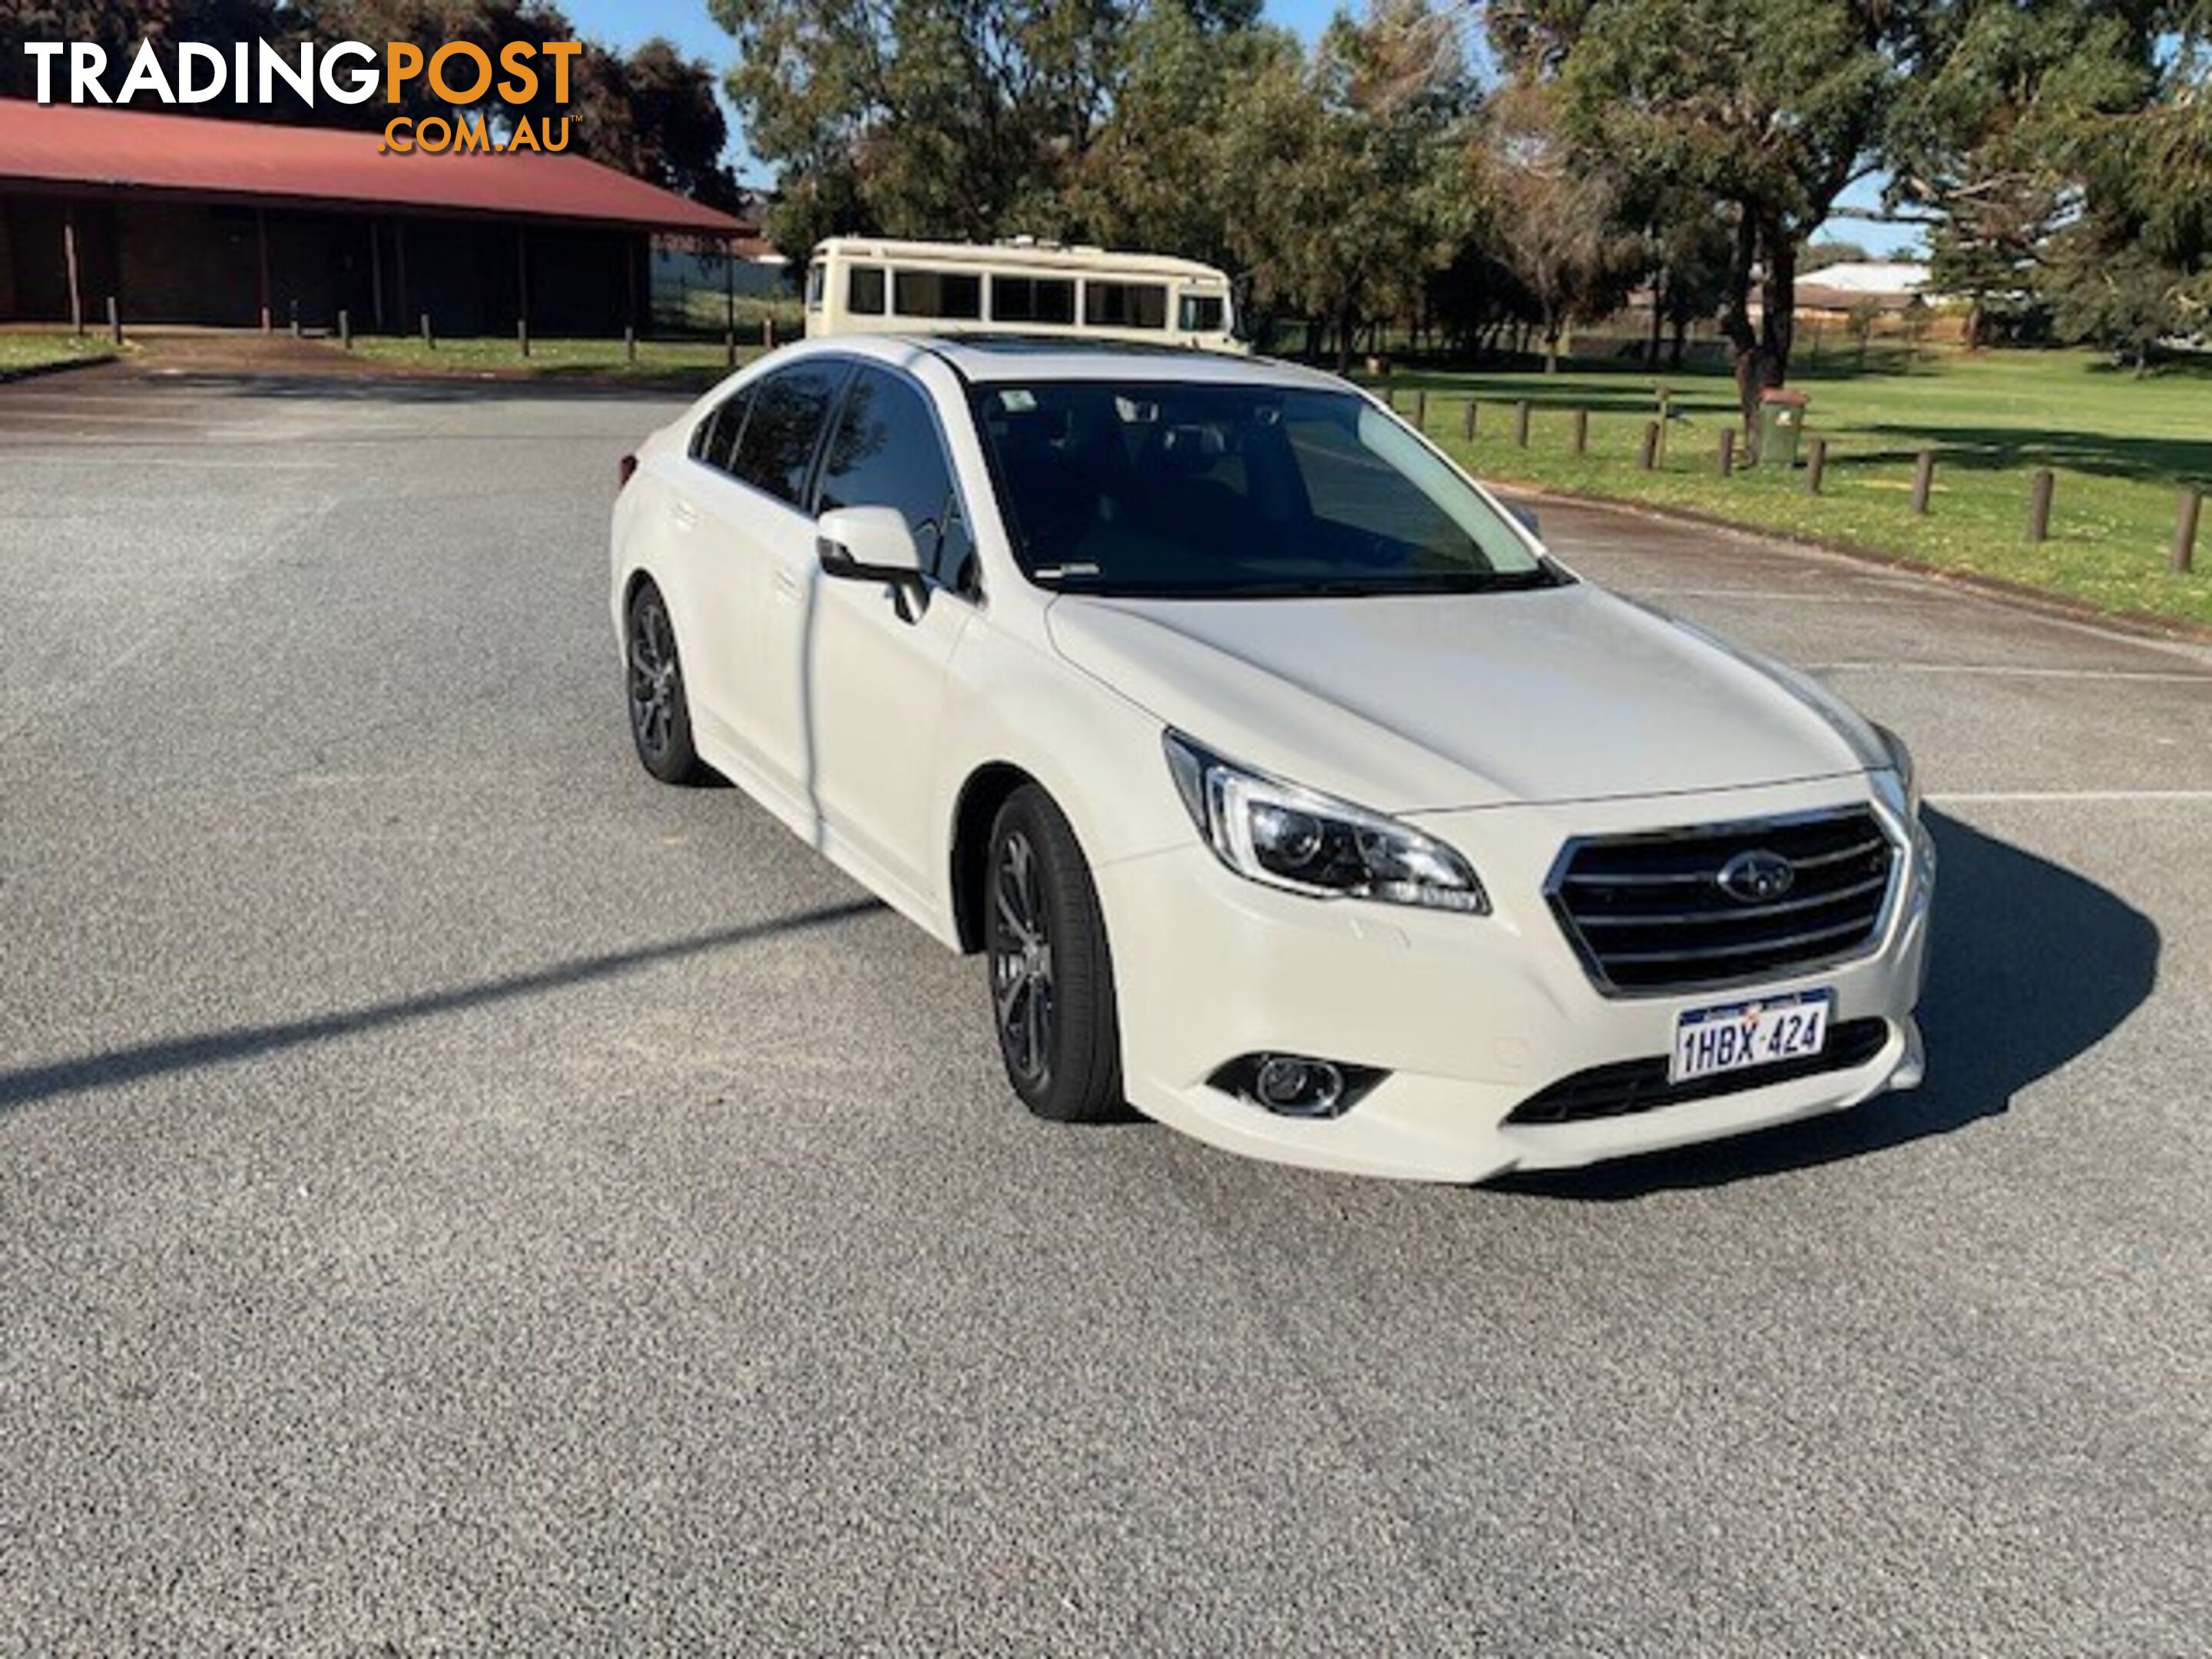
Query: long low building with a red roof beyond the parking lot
(194, 220)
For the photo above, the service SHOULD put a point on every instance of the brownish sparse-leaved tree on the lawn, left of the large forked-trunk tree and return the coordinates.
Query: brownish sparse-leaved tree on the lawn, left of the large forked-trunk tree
(1554, 218)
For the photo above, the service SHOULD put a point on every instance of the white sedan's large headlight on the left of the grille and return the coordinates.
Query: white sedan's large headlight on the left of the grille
(1313, 844)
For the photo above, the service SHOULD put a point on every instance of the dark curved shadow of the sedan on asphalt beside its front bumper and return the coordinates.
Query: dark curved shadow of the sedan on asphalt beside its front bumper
(2032, 968)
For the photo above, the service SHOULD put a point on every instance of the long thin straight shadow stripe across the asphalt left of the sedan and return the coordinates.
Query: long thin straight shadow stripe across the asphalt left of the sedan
(136, 1063)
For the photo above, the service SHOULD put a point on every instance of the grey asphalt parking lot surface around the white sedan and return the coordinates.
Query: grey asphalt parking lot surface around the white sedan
(457, 1193)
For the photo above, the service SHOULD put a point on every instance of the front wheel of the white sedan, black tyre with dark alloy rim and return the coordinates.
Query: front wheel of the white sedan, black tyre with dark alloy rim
(1052, 979)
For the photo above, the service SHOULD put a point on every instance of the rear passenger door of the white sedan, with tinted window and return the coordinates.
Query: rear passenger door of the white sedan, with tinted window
(758, 543)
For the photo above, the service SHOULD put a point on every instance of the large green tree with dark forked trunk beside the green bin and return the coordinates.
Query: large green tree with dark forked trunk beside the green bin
(1768, 107)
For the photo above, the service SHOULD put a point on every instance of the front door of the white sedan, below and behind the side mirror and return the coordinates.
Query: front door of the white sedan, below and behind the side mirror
(875, 660)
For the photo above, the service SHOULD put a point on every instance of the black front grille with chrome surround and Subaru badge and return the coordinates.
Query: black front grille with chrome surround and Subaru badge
(1651, 912)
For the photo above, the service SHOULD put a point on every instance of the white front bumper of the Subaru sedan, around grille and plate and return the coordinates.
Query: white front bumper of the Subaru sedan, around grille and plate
(1468, 1014)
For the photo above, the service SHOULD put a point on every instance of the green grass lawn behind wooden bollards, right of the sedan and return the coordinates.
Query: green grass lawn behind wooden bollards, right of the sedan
(2120, 448)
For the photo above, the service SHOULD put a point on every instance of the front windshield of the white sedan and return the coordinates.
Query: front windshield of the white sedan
(1131, 488)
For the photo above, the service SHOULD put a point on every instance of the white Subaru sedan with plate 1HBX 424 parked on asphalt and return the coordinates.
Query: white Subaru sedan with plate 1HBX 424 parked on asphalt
(1288, 789)
